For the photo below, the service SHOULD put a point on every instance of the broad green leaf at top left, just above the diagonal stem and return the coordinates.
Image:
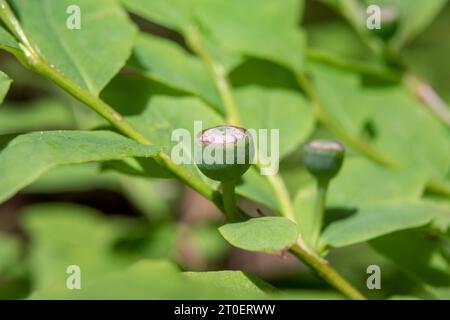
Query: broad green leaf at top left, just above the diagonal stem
(91, 55)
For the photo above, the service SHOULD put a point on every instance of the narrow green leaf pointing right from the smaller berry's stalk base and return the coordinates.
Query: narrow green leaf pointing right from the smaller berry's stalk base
(374, 221)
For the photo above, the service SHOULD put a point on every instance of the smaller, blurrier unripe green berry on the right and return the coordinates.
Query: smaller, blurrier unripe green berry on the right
(323, 159)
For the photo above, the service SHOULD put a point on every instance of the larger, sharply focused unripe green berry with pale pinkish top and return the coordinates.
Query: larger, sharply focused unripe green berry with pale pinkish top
(227, 152)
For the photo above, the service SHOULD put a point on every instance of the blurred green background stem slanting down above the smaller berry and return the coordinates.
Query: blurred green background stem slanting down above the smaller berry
(333, 126)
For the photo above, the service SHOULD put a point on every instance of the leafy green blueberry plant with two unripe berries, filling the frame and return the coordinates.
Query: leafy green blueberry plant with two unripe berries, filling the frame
(364, 143)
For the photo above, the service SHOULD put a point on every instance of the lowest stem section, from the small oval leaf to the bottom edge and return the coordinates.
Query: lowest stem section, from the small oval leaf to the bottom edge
(326, 272)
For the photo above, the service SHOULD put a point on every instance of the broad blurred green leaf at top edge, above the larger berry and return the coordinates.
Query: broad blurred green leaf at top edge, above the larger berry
(255, 28)
